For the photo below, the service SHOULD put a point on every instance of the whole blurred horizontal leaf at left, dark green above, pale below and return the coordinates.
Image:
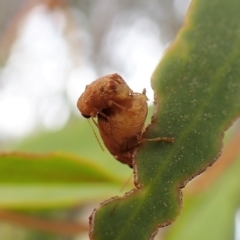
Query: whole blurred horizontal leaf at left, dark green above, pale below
(52, 180)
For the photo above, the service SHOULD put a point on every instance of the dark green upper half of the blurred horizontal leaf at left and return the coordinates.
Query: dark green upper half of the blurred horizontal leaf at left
(50, 168)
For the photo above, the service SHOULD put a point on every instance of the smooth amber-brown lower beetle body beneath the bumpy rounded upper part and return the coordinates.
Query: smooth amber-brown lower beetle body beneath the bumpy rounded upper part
(121, 127)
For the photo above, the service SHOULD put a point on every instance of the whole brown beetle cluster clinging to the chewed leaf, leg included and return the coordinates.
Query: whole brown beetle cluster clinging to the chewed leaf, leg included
(121, 115)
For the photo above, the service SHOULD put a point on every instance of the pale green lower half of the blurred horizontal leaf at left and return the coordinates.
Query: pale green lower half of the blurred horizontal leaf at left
(44, 196)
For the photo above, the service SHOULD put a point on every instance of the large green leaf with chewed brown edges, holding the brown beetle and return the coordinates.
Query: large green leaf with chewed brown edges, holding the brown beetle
(198, 86)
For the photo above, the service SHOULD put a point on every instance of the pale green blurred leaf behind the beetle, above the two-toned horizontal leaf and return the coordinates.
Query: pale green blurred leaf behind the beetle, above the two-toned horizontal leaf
(76, 138)
